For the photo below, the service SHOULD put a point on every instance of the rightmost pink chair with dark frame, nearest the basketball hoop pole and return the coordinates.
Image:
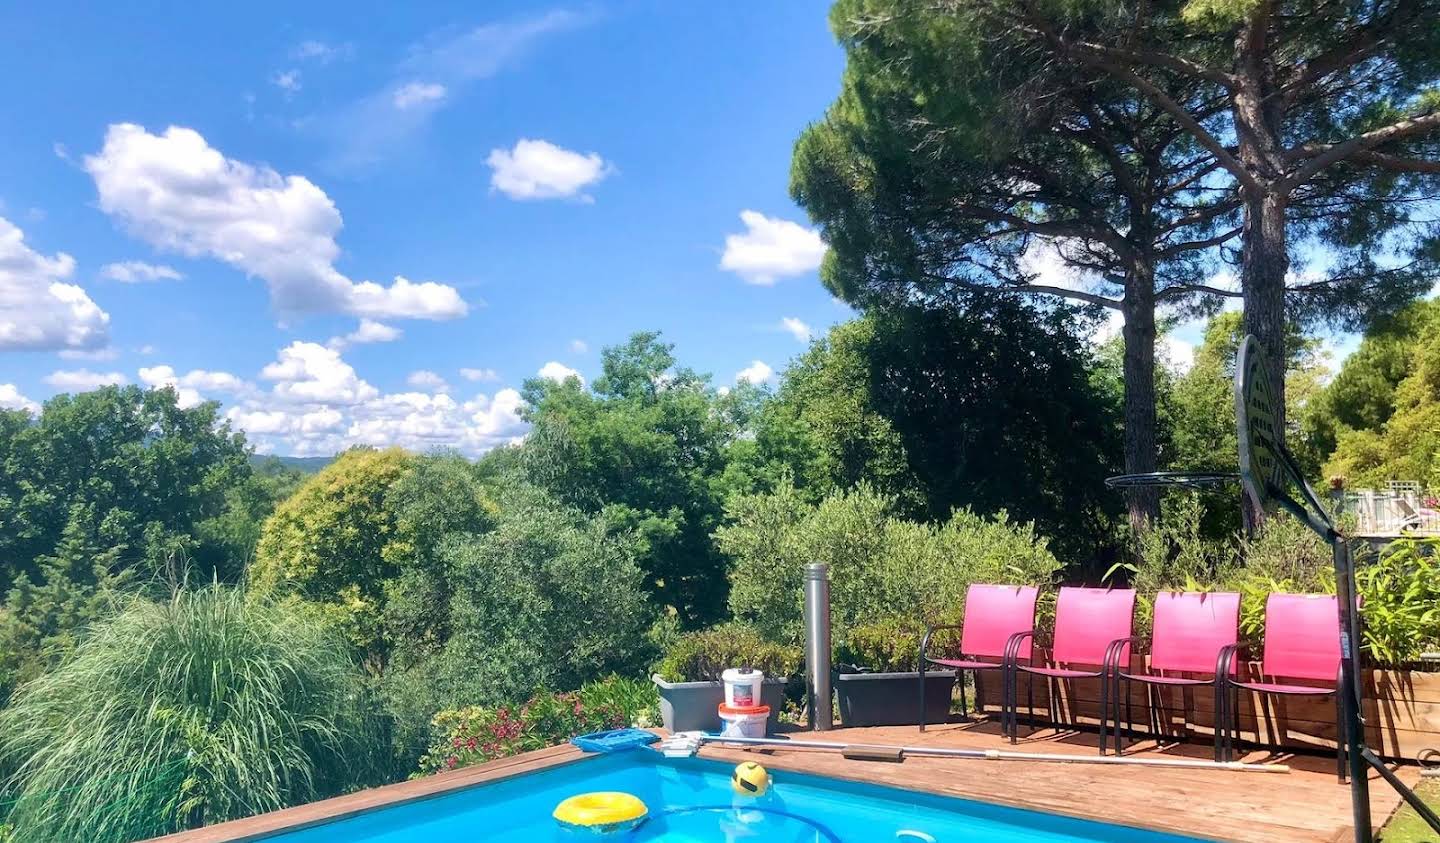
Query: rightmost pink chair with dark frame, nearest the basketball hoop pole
(1302, 645)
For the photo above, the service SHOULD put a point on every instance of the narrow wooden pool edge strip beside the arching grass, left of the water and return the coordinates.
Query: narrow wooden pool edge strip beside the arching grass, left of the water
(390, 796)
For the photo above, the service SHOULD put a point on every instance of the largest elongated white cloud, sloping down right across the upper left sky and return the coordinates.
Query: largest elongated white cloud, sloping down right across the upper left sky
(179, 194)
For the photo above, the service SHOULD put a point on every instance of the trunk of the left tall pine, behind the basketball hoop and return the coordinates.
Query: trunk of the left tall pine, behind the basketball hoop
(1138, 311)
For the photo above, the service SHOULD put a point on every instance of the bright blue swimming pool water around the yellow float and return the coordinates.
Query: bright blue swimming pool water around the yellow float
(692, 802)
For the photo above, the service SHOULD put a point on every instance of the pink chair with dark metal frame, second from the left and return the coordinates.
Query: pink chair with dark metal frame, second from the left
(1092, 638)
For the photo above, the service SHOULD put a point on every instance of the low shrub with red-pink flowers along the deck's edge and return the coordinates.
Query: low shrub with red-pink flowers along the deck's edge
(477, 734)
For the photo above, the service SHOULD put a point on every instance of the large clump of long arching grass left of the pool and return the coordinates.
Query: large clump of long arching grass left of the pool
(195, 711)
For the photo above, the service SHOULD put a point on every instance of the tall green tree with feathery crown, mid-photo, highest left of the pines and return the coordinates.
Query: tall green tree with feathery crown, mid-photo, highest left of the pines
(646, 447)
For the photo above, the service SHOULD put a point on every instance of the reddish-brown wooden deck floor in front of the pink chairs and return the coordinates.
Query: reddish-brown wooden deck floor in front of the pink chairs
(1304, 806)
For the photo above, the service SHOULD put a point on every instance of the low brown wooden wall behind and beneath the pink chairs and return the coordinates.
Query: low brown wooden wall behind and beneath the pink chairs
(1402, 711)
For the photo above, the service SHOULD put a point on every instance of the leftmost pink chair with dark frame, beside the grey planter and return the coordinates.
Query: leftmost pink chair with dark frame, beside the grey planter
(994, 616)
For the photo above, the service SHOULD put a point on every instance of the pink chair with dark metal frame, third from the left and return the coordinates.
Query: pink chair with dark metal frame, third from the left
(1193, 635)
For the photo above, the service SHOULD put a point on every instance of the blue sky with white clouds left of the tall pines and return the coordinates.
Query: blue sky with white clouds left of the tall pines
(220, 197)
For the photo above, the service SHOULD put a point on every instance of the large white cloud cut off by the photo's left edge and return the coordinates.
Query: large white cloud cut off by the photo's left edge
(40, 309)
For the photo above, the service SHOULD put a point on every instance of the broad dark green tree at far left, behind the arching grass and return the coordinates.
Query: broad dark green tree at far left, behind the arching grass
(139, 470)
